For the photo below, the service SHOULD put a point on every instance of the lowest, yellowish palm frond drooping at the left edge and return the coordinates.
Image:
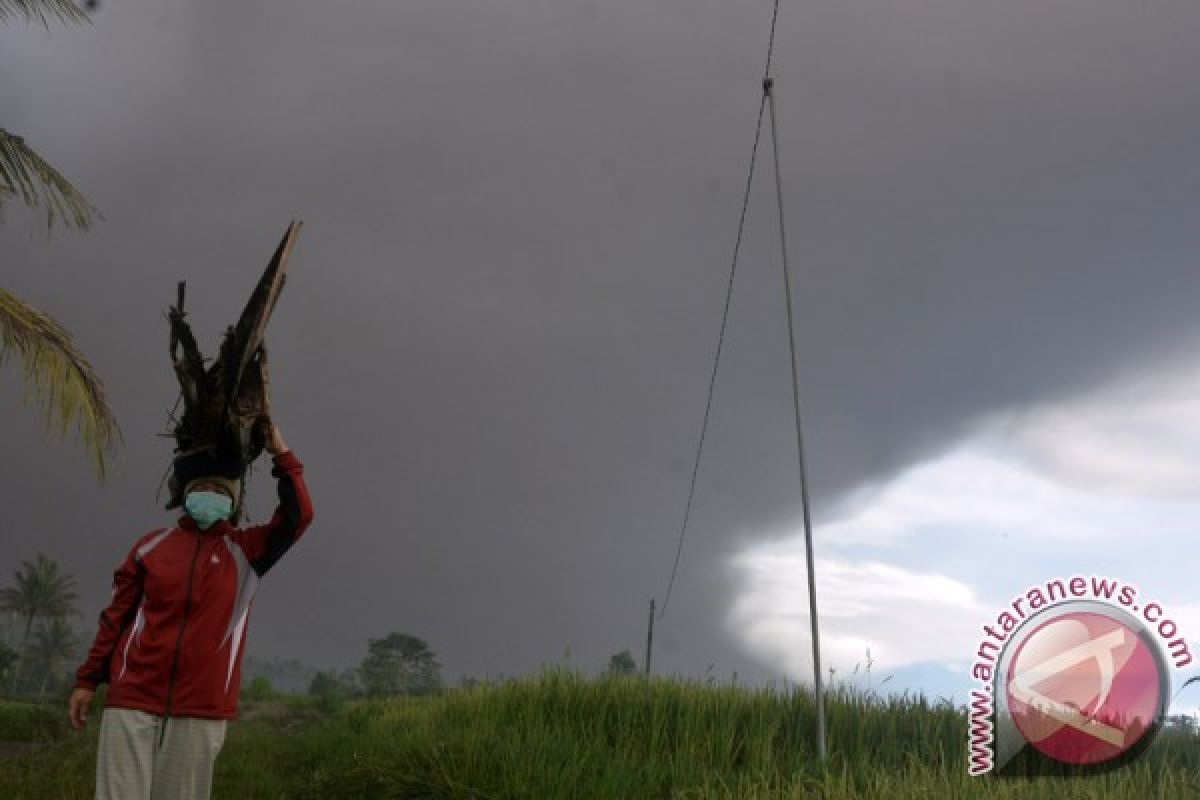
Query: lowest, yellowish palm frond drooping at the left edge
(61, 376)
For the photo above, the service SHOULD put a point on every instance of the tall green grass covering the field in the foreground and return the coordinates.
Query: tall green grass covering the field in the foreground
(562, 736)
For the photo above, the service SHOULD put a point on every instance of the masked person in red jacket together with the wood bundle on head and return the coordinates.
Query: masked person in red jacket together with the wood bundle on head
(171, 641)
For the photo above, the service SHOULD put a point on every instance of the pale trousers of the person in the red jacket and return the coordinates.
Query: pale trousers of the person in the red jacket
(139, 760)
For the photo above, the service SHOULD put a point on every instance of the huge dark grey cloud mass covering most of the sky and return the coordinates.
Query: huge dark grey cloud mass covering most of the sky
(494, 350)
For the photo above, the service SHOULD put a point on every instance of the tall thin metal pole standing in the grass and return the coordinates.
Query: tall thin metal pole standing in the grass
(769, 87)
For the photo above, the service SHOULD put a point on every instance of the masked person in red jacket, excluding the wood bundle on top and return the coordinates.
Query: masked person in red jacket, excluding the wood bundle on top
(171, 642)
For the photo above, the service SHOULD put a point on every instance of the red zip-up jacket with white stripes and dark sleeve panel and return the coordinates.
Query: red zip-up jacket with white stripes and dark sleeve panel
(171, 642)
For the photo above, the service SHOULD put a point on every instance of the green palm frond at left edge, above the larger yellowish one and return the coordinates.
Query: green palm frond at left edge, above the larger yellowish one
(26, 175)
